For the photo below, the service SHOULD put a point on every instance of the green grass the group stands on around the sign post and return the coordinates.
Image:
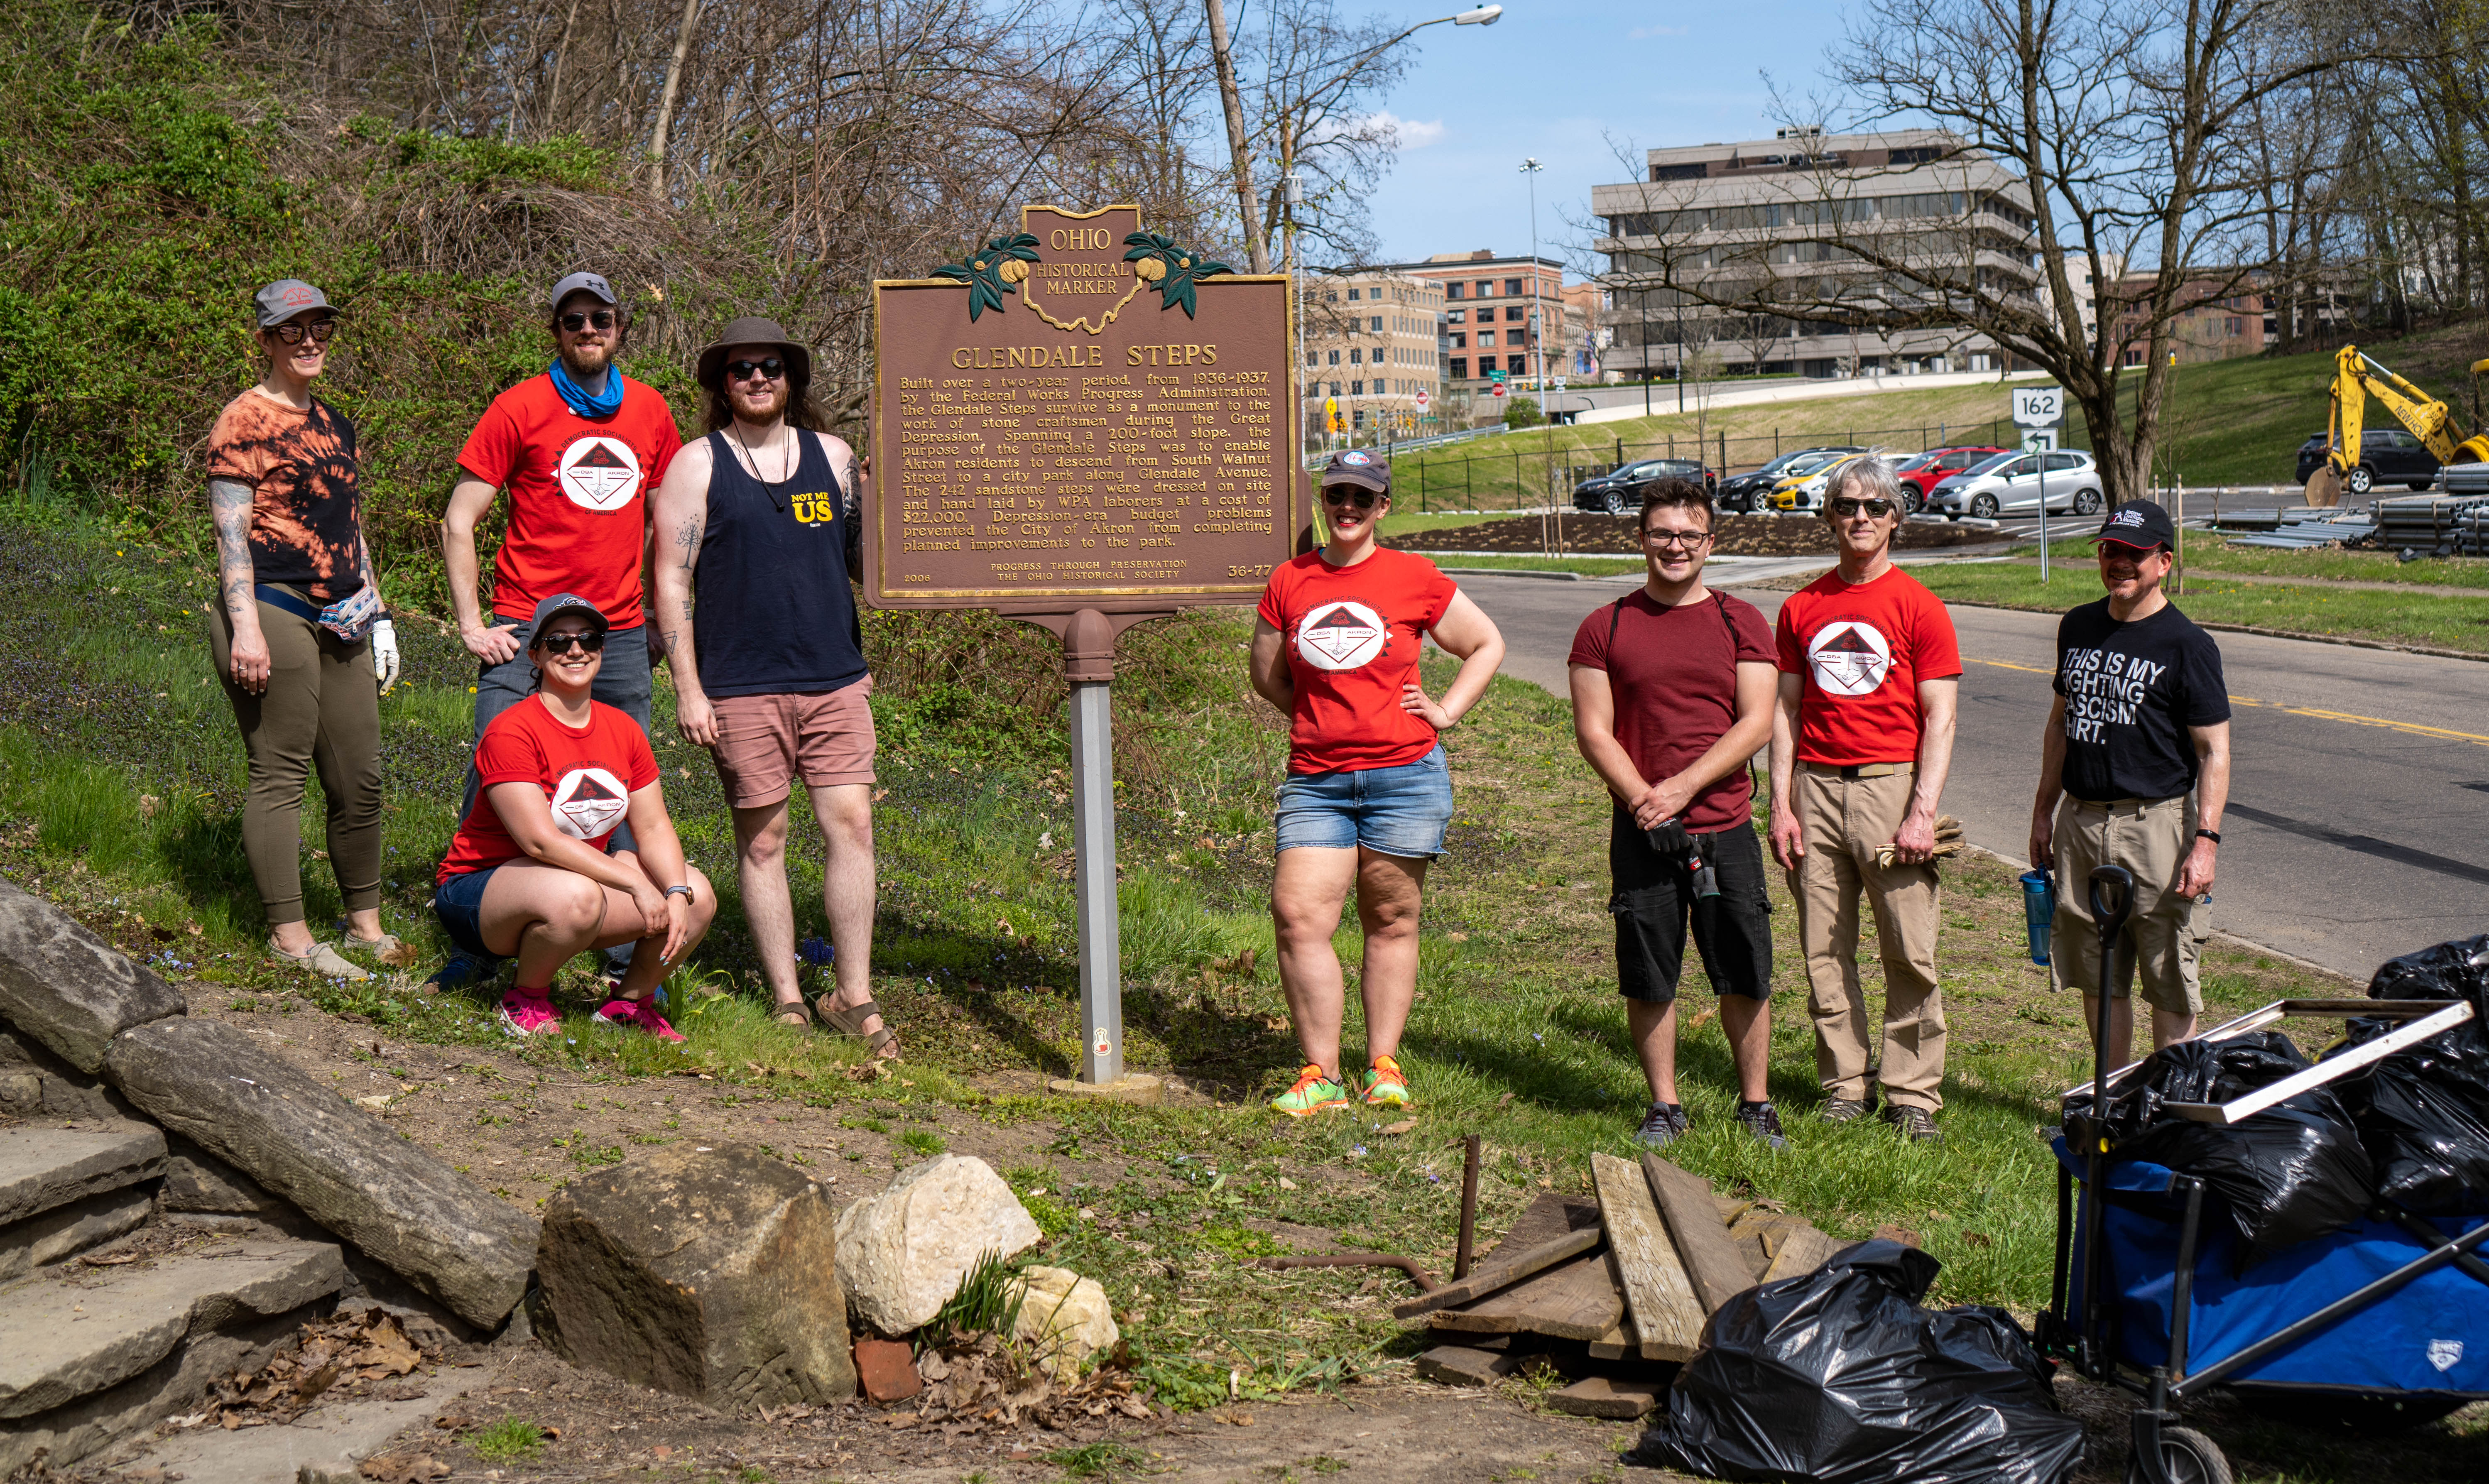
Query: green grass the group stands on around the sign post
(121, 788)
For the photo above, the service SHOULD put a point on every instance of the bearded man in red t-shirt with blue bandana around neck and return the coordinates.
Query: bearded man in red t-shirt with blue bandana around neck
(579, 449)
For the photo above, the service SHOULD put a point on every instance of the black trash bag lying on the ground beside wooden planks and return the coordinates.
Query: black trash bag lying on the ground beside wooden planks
(1841, 1378)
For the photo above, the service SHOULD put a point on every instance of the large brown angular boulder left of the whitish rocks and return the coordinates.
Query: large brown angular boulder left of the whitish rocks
(701, 1271)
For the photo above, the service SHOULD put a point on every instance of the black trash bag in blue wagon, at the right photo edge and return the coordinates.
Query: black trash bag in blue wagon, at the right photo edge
(2426, 1112)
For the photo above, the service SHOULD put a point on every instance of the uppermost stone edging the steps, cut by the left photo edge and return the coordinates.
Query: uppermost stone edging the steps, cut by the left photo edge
(71, 990)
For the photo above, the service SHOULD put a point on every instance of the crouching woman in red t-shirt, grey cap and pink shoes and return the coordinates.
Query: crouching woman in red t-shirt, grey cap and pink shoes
(529, 870)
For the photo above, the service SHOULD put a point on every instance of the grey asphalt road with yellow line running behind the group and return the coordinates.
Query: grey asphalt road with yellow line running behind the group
(2361, 778)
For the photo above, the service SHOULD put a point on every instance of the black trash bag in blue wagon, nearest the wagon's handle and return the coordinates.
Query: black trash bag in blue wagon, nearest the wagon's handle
(2291, 1174)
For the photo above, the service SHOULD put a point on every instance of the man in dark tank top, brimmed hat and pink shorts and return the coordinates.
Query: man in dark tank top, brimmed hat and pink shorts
(763, 522)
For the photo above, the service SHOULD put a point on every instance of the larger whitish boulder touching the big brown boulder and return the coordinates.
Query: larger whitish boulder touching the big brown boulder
(907, 1249)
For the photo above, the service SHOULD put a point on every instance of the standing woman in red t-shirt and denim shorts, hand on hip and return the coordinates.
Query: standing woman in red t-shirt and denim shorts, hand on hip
(1368, 786)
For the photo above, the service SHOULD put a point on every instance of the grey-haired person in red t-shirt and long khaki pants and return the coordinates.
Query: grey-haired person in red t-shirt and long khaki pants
(1861, 746)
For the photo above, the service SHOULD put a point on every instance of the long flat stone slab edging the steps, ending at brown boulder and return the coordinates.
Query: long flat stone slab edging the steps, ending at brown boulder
(337, 1164)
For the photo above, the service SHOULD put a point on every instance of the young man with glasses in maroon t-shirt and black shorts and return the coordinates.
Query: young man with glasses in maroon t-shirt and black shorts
(1671, 701)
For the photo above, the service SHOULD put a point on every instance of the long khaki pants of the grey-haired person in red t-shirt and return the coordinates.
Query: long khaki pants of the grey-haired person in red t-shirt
(1843, 823)
